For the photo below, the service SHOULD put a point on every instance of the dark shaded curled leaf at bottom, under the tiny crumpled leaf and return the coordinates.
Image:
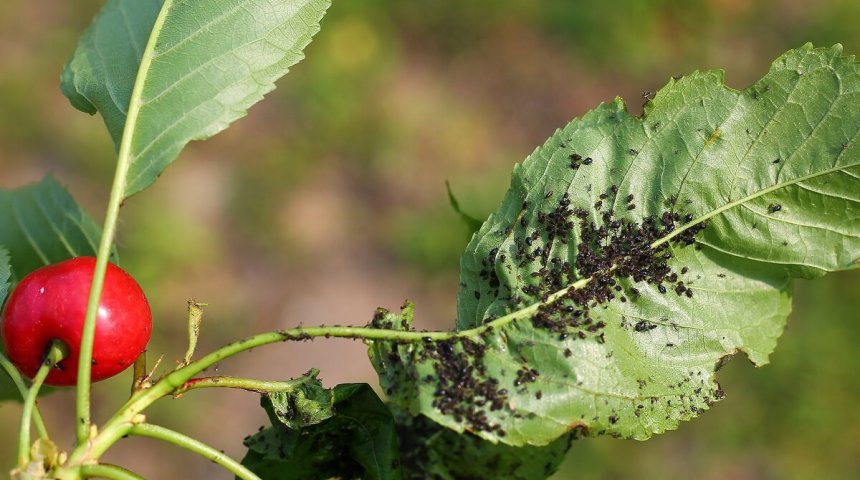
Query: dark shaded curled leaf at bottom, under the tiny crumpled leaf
(359, 441)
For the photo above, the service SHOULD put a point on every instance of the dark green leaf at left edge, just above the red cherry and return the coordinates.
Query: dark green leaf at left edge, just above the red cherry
(42, 225)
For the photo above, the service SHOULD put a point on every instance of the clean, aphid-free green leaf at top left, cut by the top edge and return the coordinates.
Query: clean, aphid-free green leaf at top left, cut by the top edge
(165, 73)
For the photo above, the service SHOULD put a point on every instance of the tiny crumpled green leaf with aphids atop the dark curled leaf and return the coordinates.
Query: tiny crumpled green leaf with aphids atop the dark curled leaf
(308, 404)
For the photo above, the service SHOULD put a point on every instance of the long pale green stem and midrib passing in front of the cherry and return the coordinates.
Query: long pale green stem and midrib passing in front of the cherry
(117, 195)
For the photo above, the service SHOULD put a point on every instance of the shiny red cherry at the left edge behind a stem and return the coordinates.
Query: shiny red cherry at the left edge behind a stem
(51, 302)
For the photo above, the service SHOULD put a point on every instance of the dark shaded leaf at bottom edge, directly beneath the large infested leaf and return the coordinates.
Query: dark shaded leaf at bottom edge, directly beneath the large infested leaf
(431, 451)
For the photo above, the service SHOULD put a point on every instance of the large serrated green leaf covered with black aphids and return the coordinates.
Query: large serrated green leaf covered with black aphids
(632, 256)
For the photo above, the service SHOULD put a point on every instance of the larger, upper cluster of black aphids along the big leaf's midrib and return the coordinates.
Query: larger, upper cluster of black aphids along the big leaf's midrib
(609, 251)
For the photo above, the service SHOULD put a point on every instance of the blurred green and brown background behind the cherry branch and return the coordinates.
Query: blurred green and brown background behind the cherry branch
(328, 200)
